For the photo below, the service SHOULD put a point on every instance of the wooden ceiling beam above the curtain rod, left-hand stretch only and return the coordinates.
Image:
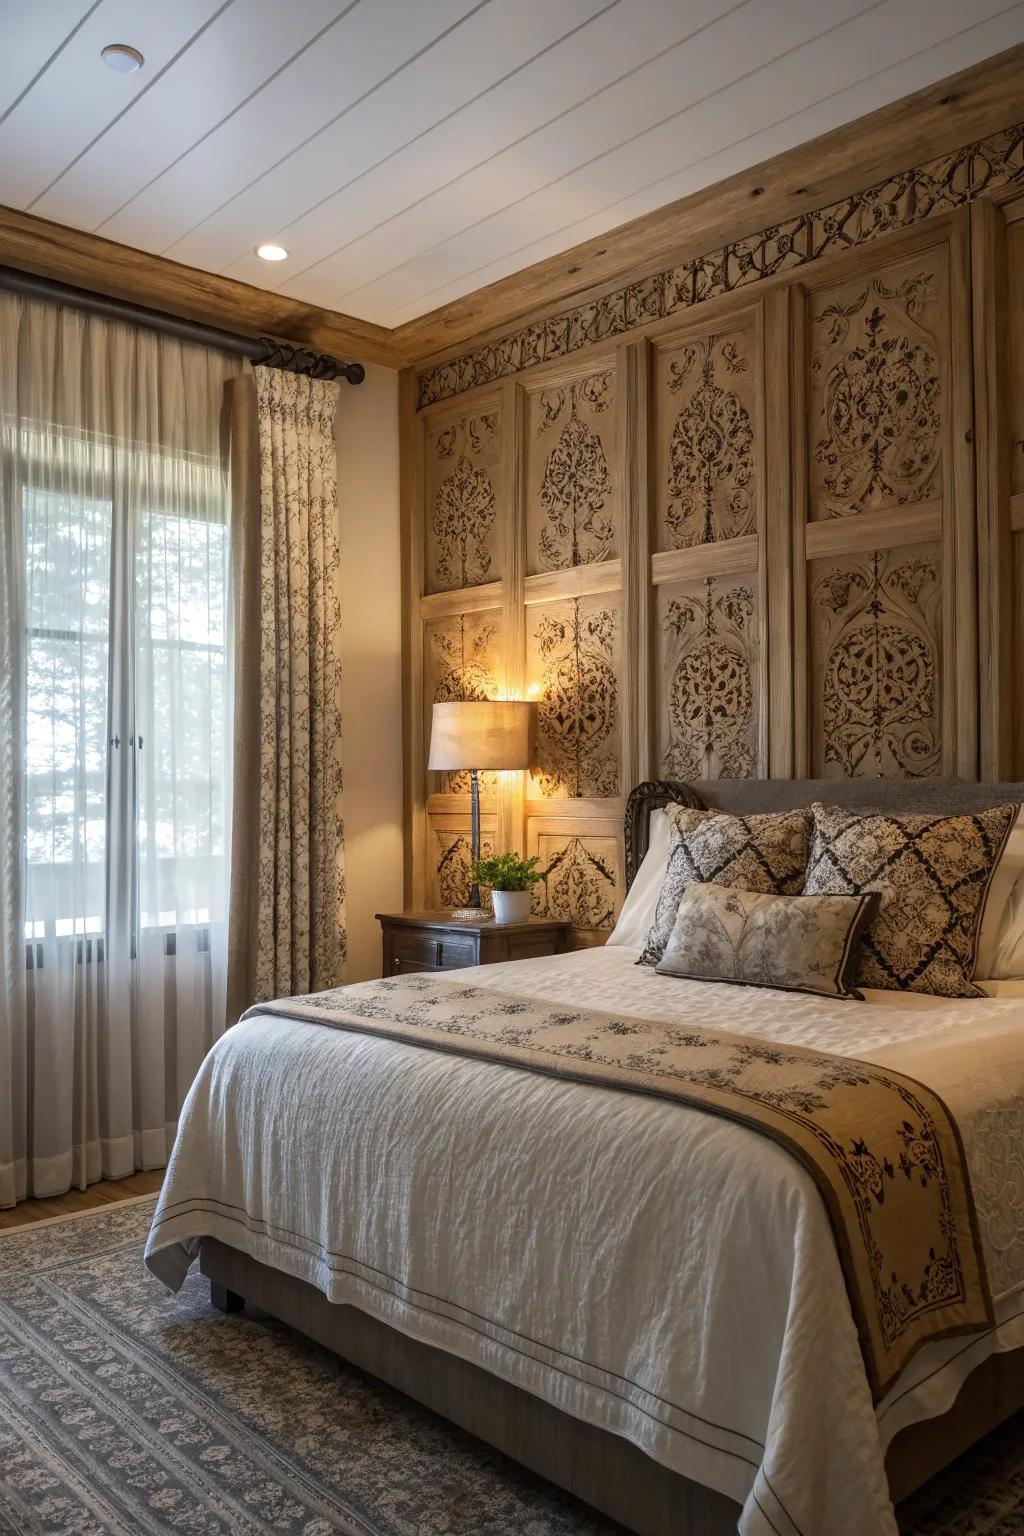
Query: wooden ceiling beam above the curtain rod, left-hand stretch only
(88, 262)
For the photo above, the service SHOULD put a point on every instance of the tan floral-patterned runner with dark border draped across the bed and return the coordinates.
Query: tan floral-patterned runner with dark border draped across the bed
(882, 1148)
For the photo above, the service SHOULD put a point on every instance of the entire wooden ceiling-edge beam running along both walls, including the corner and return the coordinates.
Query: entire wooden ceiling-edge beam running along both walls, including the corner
(943, 118)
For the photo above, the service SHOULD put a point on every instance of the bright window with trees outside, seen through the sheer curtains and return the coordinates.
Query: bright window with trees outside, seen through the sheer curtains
(127, 692)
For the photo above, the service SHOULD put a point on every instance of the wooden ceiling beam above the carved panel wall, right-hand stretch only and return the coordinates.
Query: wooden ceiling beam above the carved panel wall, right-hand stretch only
(943, 118)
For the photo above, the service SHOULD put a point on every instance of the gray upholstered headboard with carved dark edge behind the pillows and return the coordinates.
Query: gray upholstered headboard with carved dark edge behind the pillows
(751, 796)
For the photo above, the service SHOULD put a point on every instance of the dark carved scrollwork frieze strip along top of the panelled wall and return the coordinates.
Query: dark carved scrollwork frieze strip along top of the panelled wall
(951, 182)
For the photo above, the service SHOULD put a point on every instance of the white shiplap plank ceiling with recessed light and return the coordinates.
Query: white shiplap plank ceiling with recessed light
(411, 151)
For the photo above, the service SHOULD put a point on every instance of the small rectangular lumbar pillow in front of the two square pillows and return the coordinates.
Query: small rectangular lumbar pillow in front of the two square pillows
(801, 944)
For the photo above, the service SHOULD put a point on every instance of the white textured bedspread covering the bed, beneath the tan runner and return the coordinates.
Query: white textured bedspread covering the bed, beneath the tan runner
(652, 1270)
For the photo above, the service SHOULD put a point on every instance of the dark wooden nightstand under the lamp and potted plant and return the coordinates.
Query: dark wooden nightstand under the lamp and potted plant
(438, 942)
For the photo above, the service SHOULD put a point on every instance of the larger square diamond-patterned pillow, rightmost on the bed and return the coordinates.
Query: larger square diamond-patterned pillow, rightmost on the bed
(933, 873)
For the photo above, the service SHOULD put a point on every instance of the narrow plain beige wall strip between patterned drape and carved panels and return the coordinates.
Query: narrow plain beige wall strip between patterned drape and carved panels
(372, 650)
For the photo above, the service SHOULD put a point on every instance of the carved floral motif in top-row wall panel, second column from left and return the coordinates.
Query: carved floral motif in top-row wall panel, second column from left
(576, 483)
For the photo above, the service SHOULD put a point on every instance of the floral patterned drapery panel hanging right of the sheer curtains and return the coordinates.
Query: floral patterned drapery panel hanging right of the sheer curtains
(288, 861)
